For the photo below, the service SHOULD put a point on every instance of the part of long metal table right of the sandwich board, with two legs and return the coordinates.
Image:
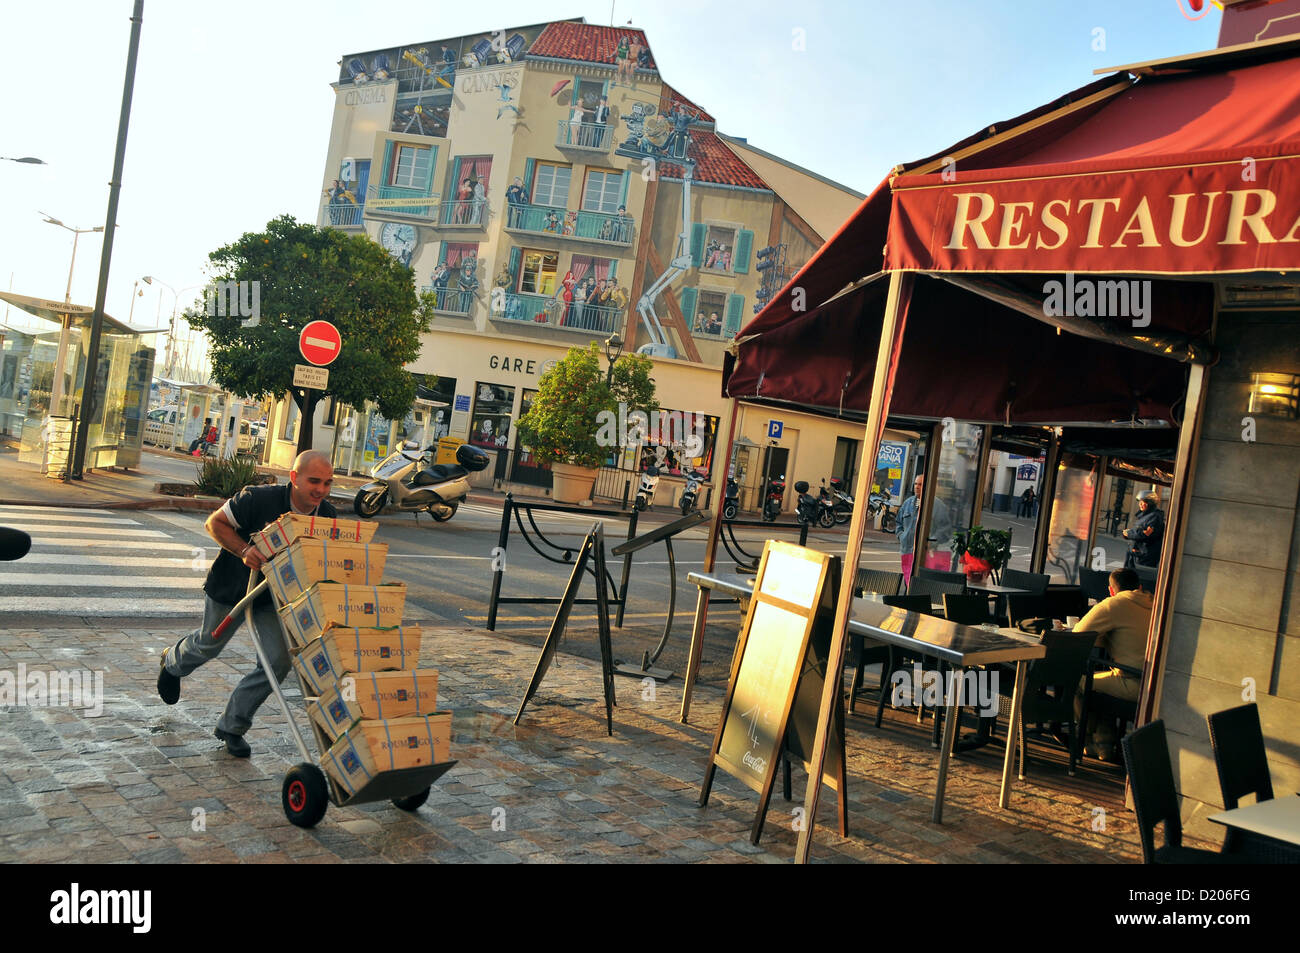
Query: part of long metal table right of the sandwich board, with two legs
(961, 647)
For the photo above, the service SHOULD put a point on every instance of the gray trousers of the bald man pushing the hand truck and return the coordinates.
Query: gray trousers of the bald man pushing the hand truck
(254, 688)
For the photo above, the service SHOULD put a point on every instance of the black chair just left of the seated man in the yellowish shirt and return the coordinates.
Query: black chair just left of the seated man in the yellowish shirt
(1051, 688)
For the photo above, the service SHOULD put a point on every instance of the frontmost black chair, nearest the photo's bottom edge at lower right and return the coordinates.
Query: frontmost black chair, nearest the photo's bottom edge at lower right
(1155, 799)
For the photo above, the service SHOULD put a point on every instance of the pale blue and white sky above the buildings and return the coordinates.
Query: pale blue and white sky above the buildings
(232, 106)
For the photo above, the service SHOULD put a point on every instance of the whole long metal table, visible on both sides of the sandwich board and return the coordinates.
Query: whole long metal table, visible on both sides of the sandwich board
(959, 646)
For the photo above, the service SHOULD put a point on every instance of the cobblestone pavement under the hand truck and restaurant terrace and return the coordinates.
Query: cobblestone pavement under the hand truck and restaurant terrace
(148, 783)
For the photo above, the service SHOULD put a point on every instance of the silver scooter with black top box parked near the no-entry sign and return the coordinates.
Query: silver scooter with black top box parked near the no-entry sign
(411, 482)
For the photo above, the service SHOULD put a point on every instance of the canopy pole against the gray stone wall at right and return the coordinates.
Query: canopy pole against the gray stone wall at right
(1176, 529)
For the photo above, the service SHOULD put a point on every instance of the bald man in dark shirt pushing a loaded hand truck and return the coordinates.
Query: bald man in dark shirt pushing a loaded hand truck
(232, 527)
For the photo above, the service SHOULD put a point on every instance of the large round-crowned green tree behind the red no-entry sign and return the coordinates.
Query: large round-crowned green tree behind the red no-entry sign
(306, 274)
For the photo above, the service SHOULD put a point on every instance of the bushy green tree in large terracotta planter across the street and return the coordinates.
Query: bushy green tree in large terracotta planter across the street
(567, 424)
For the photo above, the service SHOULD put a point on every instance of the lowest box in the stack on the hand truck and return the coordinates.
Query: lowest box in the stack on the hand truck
(370, 748)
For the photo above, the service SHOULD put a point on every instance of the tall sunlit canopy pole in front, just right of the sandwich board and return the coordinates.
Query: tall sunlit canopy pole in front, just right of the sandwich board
(833, 690)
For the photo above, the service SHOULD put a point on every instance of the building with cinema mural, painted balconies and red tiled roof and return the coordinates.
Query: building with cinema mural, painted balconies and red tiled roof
(552, 189)
